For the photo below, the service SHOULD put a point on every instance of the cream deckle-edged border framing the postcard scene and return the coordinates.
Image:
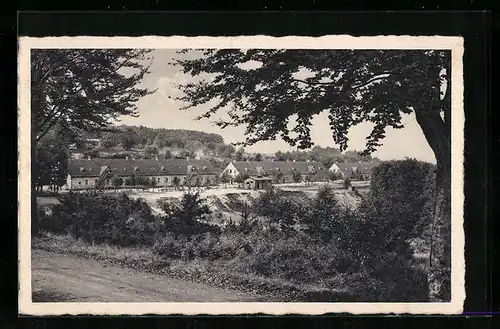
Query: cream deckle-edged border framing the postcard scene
(455, 44)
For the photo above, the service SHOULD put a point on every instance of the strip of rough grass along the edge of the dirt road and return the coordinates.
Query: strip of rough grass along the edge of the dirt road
(217, 273)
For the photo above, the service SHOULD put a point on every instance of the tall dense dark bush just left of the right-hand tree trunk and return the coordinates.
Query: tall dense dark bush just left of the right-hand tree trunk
(393, 210)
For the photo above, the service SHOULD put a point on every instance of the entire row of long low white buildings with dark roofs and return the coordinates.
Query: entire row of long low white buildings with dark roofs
(101, 173)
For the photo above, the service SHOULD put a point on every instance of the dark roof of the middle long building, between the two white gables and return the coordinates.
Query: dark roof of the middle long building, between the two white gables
(273, 167)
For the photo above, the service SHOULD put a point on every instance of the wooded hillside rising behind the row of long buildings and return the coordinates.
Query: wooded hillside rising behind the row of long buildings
(145, 142)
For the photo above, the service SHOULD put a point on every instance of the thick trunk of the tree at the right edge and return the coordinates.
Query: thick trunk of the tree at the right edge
(437, 133)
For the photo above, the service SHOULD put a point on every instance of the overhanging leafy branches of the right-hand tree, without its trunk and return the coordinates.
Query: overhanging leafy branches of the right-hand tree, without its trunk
(351, 85)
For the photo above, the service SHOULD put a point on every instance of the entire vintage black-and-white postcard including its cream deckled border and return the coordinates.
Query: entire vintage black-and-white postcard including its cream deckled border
(241, 175)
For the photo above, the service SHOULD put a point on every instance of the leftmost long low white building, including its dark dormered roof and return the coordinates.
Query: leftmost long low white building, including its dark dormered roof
(101, 173)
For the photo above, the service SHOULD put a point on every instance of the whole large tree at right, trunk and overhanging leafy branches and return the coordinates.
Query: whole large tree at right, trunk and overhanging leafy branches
(264, 89)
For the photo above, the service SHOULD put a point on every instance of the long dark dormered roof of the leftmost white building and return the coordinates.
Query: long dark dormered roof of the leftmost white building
(142, 167)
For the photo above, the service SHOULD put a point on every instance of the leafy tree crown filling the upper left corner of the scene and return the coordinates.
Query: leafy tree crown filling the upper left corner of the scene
(84, 88)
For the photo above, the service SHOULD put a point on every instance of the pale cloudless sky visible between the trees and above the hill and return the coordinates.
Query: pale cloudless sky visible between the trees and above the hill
(161, 110)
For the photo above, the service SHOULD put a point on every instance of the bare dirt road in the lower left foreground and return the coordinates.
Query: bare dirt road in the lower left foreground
(59, 277)
